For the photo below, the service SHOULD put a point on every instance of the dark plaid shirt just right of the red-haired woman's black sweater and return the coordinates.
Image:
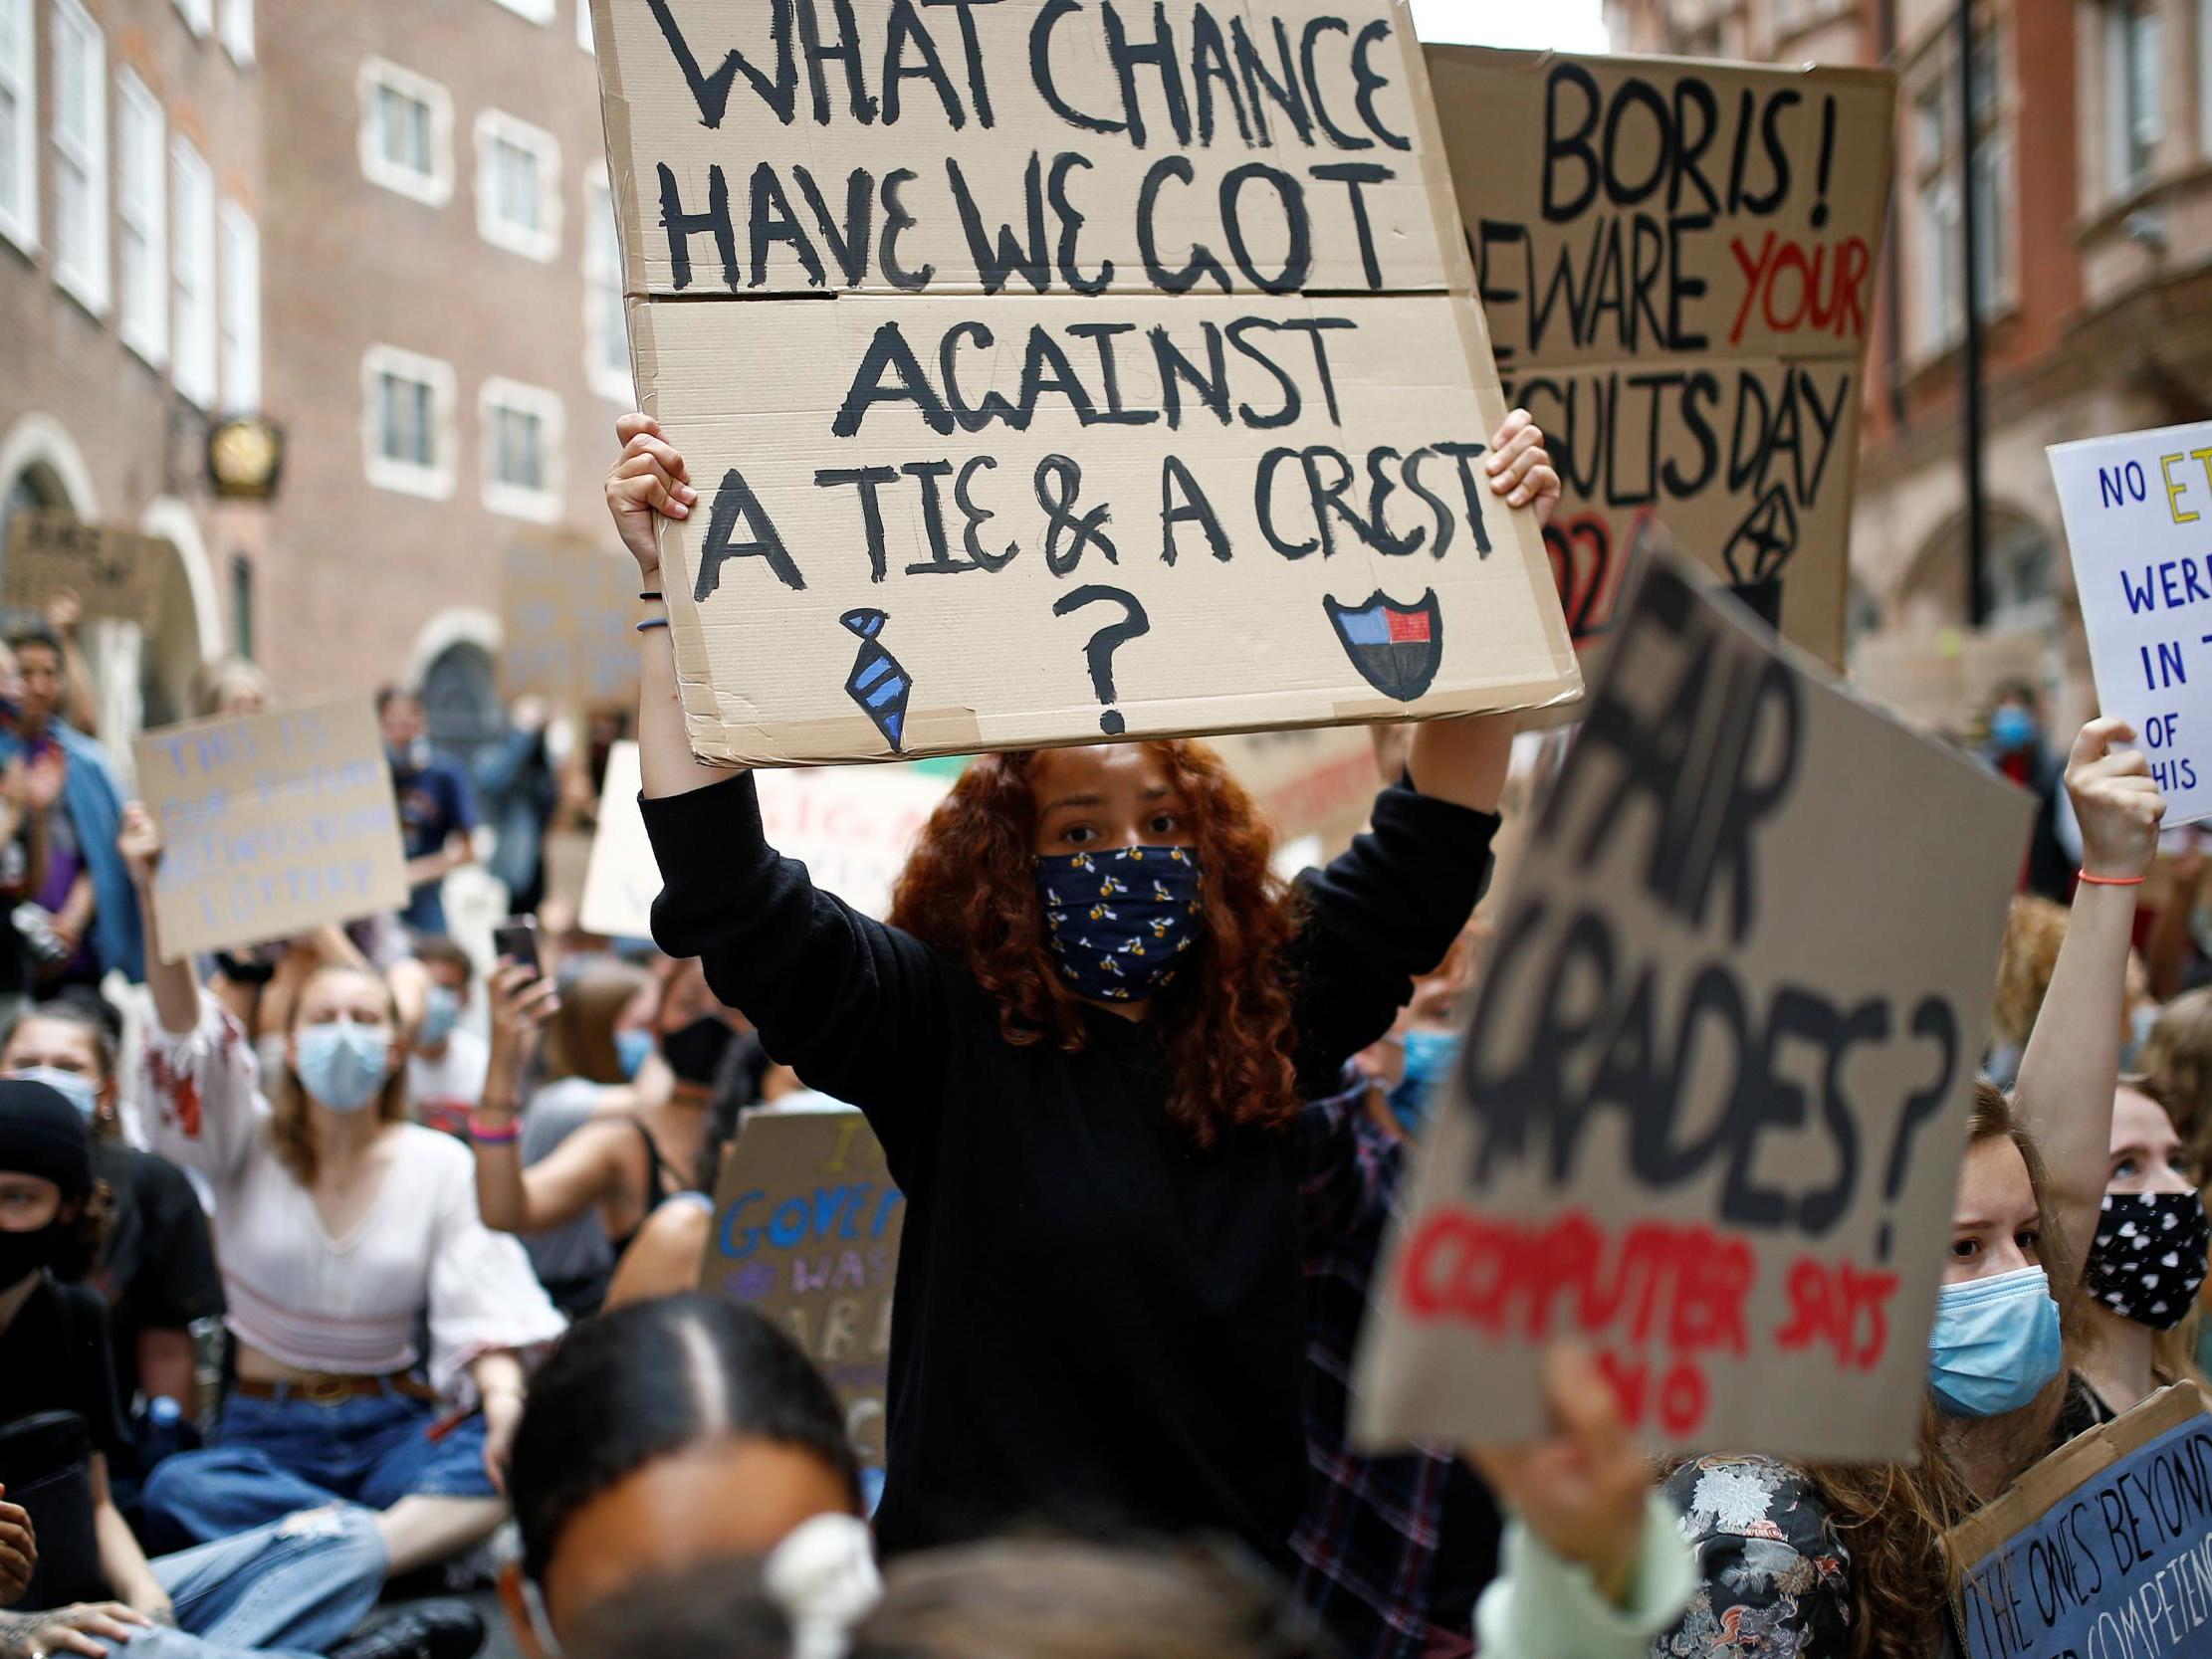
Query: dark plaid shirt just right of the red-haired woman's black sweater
(1375, 1527)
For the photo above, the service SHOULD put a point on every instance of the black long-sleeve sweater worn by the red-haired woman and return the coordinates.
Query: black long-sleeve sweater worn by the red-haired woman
(1096, 1324)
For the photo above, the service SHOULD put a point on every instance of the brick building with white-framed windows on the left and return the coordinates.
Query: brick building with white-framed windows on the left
(384, 229)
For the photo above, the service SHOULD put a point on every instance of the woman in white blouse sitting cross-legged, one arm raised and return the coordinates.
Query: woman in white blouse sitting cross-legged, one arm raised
(344, 1231)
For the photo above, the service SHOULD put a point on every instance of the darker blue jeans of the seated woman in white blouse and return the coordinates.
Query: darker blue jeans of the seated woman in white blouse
(271, 1459)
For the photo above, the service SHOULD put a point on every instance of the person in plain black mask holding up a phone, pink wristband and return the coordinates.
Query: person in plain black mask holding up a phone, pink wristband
(623, 1165)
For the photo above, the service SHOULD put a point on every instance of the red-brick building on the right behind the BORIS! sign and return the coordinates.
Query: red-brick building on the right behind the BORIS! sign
(2096, 209)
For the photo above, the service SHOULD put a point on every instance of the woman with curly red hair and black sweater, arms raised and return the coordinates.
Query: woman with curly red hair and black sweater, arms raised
(1100, 1308)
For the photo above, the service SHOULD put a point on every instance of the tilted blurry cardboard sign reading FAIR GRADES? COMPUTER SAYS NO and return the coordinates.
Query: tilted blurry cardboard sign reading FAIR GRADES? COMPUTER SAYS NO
(1709, 1112)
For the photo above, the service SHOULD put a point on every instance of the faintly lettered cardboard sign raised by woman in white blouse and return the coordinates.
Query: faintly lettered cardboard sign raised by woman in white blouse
(271, 824)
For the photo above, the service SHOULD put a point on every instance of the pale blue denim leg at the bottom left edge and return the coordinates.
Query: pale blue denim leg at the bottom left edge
(298, 1587)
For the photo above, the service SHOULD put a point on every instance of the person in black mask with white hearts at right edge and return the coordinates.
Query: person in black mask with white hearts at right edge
(2147, 1260)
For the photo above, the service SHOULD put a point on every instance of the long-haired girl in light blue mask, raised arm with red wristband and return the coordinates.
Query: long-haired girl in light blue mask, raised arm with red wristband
(1846, 1563)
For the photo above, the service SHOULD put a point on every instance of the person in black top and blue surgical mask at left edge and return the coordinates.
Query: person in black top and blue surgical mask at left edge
(158, 1260)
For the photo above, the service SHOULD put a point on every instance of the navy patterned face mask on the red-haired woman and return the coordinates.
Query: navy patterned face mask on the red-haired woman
(1120, 921)
